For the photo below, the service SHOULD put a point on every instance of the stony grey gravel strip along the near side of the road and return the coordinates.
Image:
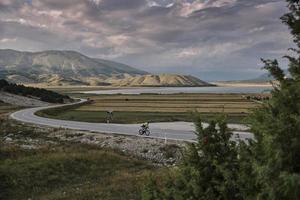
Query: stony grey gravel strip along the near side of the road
(157, 151)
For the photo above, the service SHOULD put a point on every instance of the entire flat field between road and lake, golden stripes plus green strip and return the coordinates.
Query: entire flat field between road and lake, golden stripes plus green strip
(157, 108)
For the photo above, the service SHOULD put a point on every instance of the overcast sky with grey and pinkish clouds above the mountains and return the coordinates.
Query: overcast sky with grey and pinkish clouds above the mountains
(211, 39)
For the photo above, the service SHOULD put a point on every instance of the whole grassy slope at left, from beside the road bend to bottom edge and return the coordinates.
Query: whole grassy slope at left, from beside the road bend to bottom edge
(64, 170)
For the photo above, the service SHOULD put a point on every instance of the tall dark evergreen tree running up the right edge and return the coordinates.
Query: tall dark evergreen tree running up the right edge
(277, 125)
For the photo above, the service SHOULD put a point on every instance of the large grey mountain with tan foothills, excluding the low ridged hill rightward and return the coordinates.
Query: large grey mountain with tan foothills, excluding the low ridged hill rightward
(60, 68)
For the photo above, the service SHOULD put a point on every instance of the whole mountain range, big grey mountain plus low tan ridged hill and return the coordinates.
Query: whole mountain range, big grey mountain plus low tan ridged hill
(55, 68)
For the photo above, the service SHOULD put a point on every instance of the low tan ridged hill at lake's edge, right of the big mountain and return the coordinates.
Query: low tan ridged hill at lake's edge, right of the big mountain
(161, 80)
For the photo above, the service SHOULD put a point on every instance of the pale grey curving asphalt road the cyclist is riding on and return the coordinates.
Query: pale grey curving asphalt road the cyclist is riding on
(166, 130)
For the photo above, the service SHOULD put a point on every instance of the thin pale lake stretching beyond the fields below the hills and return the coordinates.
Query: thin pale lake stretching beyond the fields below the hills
(175, 90)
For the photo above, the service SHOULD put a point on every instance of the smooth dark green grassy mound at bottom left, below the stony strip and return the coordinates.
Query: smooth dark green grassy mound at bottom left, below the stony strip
(98, 174)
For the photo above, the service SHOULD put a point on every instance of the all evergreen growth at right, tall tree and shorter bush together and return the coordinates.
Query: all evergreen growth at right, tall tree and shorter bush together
(265, 168)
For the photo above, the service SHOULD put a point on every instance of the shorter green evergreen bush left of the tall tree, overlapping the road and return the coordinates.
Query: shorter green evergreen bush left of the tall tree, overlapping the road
(209, 170)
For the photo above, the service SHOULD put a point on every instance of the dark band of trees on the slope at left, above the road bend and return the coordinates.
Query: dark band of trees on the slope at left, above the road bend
(42, 94)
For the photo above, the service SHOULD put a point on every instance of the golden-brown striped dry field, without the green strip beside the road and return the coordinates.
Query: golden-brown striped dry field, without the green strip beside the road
(202, 103)
